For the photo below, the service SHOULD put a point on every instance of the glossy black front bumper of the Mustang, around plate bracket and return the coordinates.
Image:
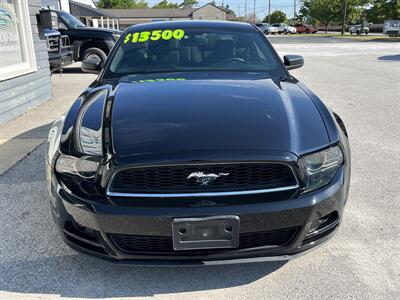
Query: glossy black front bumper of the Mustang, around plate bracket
(88, 226)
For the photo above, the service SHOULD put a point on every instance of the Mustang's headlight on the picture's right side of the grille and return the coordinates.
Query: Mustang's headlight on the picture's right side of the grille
(320, 167)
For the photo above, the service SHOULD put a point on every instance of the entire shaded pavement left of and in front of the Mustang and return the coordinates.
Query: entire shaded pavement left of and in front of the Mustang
(34, 260)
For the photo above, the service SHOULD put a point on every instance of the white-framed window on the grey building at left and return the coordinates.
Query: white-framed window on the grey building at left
(17, 55)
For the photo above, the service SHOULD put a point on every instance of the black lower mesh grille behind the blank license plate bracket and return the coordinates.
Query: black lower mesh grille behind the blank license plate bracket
(162, 245)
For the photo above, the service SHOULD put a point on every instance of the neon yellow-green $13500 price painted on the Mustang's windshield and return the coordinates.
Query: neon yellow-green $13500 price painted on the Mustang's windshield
(155, 35)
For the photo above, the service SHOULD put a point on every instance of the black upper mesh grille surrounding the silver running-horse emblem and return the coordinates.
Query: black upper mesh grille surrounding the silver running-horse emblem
(174, 179)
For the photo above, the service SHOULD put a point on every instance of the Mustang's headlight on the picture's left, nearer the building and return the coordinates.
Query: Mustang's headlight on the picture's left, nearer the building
(84, 167)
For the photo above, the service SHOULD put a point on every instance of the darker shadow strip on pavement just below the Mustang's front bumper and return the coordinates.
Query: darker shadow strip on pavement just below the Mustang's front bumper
(85, 277)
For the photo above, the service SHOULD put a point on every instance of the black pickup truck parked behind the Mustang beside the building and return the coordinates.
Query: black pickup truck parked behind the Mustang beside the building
(89, 43)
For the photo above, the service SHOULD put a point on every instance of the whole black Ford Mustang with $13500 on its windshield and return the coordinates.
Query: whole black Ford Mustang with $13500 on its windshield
(196, 146)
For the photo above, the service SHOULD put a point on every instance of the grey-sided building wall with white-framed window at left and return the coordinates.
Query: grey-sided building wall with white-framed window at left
(25, 78)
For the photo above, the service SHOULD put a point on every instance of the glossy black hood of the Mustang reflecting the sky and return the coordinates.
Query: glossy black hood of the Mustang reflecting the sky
(168, 113)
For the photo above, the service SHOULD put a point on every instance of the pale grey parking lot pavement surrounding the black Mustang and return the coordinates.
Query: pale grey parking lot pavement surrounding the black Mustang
(358, 80)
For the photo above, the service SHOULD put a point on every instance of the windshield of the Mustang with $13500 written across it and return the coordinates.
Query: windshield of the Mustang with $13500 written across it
(192, 49)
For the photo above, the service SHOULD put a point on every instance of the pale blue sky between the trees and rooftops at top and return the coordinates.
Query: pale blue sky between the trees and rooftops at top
(261, 6)
